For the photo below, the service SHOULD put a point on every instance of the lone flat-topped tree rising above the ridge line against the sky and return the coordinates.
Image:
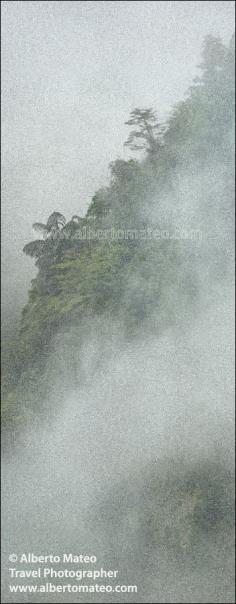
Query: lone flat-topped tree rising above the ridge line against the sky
(147, 133)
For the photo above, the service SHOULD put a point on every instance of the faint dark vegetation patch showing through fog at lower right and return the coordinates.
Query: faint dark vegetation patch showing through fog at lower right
(179, 509)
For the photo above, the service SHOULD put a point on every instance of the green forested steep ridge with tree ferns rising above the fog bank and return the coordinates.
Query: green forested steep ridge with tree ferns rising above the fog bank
(132, 279)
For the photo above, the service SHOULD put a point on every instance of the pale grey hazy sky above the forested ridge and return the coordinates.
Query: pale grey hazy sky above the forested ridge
(71, 73)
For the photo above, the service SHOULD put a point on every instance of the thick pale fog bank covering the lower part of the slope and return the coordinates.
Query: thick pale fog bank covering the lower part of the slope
(113, 453)
